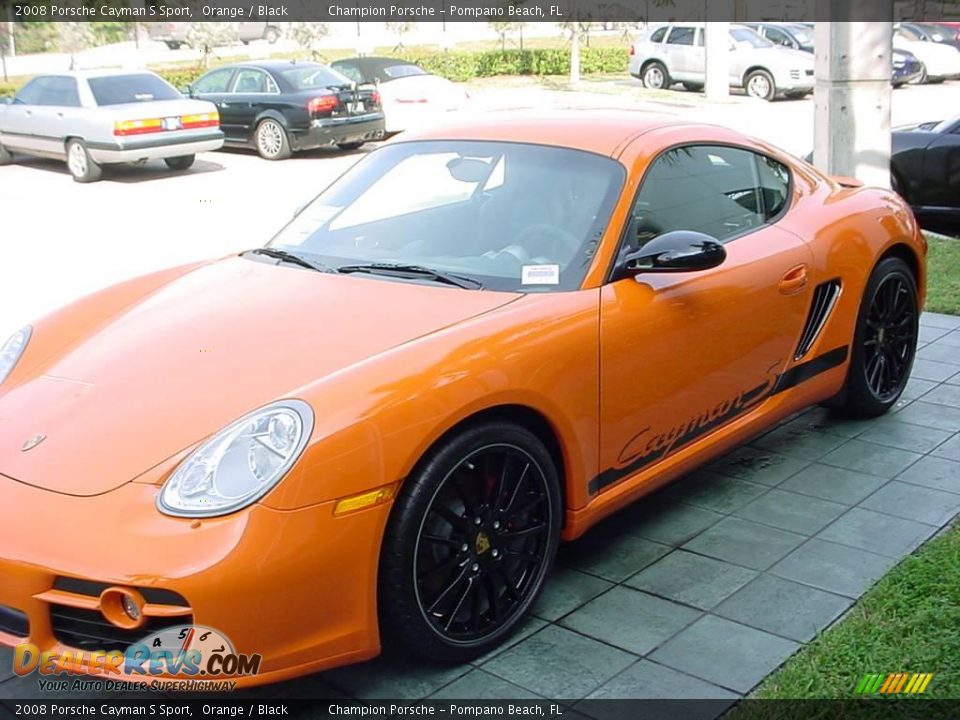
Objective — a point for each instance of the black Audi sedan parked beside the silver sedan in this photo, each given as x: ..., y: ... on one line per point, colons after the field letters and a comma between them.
x: 279, y: 107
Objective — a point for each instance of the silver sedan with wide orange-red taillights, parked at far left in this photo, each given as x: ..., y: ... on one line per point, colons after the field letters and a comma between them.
x: 93, y: 118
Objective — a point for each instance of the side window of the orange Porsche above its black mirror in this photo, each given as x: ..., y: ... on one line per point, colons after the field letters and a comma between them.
x: 718, y: 190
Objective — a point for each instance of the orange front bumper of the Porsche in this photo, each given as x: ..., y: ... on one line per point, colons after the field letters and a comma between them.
x: 297, y: 587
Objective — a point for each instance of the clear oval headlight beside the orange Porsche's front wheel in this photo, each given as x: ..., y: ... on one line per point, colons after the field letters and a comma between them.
x: 240, y: 464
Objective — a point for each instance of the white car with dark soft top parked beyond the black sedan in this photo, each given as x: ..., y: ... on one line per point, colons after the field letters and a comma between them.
x: 410, y: 96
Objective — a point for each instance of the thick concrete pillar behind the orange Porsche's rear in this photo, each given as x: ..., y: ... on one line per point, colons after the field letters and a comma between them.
x: 852, y: 97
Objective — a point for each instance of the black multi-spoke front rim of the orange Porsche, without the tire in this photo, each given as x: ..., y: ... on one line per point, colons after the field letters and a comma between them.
x: 483, y: 542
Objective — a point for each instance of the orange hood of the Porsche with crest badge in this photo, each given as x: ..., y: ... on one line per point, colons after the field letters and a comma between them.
x: 191, y: 357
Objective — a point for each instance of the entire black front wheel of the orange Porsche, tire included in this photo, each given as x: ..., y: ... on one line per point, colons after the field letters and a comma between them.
x: 469, y: 542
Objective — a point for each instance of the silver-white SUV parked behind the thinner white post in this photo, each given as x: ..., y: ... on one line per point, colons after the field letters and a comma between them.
x: 675, y: 53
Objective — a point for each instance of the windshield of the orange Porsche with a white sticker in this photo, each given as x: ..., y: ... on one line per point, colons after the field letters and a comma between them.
x: 511, y: 216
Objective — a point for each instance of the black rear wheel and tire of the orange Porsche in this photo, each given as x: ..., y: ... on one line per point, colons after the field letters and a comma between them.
x: 884, y: 344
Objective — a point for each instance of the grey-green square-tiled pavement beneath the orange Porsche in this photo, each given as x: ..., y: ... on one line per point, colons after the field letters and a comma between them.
x: 704, y: 588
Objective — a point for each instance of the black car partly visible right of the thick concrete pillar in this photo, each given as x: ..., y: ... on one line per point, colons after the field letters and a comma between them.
x: 925, y: 169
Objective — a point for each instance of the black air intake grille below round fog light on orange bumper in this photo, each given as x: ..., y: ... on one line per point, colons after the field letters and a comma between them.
x: 89, y: 630
